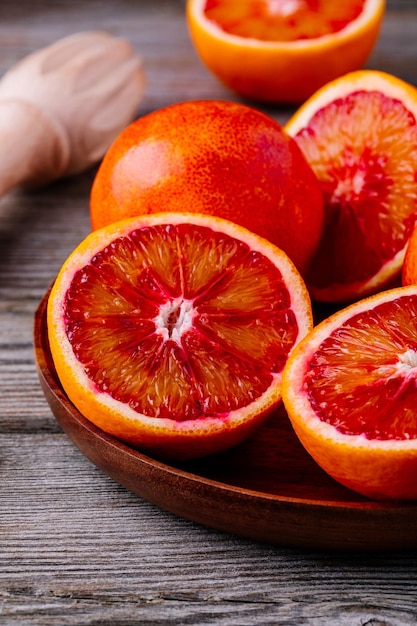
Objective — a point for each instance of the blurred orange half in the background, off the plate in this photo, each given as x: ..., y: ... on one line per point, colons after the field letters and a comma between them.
x: 283, y: 50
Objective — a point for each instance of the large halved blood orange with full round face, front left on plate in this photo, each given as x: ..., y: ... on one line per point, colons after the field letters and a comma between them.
x: 171, y: 331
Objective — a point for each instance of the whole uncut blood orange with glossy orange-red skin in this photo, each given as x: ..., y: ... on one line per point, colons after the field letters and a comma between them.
x: 219, y: 158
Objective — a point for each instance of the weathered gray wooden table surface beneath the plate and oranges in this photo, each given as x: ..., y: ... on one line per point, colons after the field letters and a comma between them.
x: 76, y: 548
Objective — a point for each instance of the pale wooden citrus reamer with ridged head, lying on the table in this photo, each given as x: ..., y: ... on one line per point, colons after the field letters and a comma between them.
x: 62, y: 106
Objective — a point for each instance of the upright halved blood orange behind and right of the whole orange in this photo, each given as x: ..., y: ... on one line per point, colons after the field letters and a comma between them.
x: 359, y: 134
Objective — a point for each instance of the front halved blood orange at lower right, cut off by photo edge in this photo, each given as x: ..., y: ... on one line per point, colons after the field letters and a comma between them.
x: 350, y: 390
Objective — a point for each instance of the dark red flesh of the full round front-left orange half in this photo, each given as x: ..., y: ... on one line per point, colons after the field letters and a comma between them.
x: 189, y: 346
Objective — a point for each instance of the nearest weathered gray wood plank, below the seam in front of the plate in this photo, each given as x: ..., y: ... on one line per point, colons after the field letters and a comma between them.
x: 77, y: 546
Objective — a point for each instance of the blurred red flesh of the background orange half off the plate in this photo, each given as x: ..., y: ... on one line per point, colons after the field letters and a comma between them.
x: 283, y: 20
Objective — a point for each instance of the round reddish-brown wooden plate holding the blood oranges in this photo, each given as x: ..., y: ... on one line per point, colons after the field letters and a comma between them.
x: 267, y: 489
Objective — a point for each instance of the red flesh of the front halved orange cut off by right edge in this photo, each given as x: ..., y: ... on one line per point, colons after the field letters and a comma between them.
x: 373, y: 358
